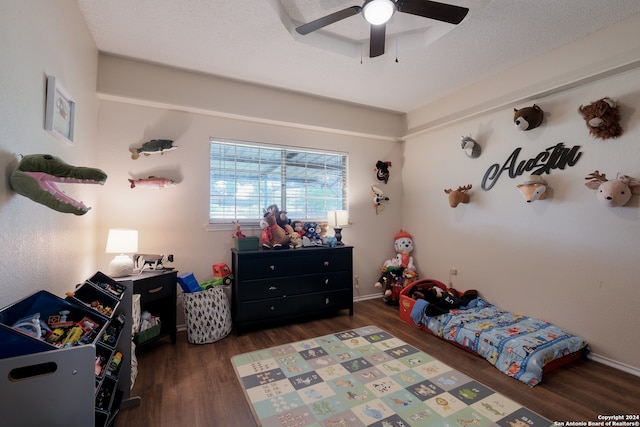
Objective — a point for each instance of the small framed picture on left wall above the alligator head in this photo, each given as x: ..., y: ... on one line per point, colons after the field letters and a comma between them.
x: 60, y: 111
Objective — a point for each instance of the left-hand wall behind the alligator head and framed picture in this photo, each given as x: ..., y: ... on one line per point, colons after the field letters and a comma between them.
x: 41, y: 248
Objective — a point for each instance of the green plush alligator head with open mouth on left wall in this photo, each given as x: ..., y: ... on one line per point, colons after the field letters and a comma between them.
x: 36, y: 177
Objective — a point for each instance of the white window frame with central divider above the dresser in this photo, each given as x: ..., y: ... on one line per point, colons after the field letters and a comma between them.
x: 284, y: 164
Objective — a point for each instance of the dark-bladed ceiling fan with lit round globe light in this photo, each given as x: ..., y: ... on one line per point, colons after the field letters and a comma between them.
x: 378, y: 12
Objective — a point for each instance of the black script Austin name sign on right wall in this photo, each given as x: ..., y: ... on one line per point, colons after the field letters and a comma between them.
x: 555, y: 157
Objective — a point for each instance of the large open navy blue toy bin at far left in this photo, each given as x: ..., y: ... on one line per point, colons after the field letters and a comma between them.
x: 15, y: 343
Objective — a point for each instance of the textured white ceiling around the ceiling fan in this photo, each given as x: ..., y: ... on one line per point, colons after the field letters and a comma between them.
x: 255, y: 41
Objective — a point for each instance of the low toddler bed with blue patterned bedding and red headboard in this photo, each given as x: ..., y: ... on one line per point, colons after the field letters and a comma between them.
x: 520, y: 346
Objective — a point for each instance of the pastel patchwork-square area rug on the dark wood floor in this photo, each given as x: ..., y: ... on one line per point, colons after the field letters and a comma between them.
x: 367, y: 377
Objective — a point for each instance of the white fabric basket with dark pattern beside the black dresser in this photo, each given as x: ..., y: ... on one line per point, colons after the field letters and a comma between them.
x: 207, y: 314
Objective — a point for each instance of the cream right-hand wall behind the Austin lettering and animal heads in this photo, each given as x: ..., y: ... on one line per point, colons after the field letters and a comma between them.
x: 567, y: 259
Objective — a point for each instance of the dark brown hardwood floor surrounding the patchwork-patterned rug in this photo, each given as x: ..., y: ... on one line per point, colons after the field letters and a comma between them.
x: 195, y: 385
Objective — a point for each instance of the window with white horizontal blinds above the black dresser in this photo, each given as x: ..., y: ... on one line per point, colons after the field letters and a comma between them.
x: 245, y: 178
